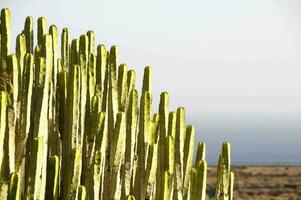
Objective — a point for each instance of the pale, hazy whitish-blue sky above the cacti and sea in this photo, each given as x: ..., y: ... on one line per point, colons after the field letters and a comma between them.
x: 217, y: 58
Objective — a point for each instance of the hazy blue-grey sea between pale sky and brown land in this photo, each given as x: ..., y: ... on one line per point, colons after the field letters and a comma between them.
x: 256, y: 139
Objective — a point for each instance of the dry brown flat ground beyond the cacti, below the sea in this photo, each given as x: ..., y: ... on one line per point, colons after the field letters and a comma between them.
x: 258, y: 183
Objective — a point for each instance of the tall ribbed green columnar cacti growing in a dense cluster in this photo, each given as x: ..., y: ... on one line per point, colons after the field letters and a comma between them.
x: 73, y: 126
